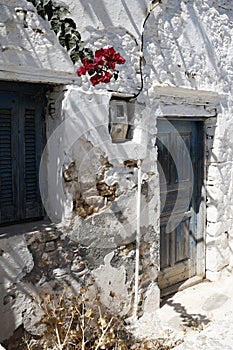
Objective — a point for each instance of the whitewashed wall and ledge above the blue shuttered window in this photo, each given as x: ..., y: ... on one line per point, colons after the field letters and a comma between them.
x: 29, y: 50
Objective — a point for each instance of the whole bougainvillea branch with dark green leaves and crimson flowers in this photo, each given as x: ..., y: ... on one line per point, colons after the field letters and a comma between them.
x: 101, y: 65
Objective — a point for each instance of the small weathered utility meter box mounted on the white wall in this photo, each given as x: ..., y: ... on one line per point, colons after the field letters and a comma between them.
x: 118, y: 120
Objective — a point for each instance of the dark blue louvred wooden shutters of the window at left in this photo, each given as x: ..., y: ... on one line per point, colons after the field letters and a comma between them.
x: 21, y: 142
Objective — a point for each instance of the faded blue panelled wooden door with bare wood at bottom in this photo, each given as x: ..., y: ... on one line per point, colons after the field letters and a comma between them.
x: 180, y: 162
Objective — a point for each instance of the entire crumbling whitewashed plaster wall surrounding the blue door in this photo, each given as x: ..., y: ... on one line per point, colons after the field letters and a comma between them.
x: 92, y: 188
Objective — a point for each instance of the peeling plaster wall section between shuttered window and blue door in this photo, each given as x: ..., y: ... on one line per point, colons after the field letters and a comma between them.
x: 92, y: 188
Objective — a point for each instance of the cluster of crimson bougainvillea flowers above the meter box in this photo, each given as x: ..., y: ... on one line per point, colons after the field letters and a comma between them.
x: 102, y: 66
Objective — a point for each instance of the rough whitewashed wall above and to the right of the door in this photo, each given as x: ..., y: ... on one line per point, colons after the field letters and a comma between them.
x: 186, y: 44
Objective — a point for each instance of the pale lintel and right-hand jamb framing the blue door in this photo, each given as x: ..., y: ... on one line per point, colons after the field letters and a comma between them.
x: 191, y: 105
